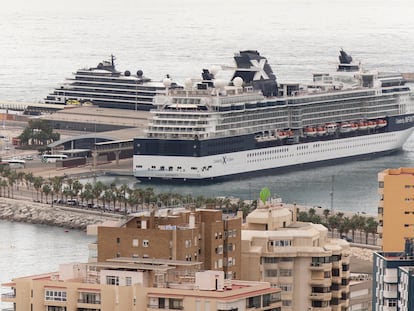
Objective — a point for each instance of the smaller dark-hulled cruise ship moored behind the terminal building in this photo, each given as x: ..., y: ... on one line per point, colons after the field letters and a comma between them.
x: 107, y: 87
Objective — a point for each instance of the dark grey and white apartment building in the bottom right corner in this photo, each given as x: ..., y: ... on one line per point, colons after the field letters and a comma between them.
x: 393, y: 279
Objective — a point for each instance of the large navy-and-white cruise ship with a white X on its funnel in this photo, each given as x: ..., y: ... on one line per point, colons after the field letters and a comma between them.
x: 213, y: 129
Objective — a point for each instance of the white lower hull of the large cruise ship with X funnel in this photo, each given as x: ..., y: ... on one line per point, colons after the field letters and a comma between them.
x: 266, y: 159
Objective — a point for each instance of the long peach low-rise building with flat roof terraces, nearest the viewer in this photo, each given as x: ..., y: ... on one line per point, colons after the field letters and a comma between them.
x: 138, y: 285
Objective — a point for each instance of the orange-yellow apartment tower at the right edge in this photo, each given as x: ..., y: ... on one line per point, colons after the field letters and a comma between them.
x: 395, y: 208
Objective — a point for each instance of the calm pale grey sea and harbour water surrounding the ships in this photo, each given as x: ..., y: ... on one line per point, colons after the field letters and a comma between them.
x: 43, y: 41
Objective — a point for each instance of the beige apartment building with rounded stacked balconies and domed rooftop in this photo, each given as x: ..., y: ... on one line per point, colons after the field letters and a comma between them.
x: 311, y: 269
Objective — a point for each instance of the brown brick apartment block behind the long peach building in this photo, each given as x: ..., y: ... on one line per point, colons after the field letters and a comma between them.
x: 204, y: 235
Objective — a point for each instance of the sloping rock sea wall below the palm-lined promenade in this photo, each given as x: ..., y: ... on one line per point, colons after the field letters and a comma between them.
x: 46, y: 214
